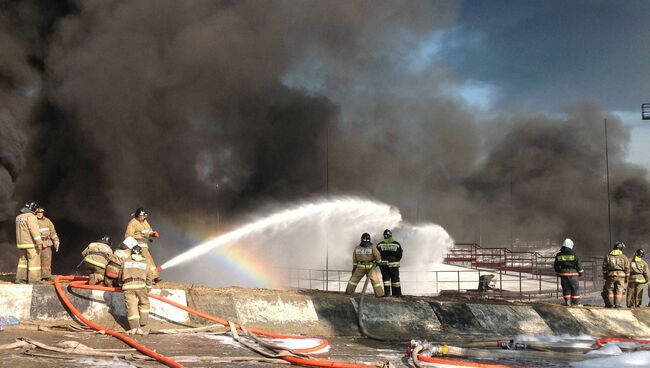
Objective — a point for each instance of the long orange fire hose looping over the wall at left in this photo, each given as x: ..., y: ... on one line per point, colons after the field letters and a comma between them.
x: 82, y: 283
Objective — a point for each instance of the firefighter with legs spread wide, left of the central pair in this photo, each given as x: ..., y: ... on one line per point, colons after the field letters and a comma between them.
x: 364, y: 258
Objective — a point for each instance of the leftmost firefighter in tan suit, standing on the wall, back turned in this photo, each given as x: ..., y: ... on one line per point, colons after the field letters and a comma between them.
x: 28, y: 241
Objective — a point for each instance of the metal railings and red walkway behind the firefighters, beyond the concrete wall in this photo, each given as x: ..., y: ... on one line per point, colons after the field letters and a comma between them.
x: 517, y: 275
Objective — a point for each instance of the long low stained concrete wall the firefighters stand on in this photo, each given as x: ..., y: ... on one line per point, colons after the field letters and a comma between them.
x: 334, y: 314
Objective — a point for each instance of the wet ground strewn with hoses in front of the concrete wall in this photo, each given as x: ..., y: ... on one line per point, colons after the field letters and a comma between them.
x: 193, y: 345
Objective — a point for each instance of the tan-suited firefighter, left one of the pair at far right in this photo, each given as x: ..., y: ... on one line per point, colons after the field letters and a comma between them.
x: 616, y: 270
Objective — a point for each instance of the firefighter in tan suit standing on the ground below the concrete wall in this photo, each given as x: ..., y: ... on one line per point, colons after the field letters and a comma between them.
x: 136, y: 278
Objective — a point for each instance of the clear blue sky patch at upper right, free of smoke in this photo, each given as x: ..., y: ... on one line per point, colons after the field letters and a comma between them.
x: 539, y: 56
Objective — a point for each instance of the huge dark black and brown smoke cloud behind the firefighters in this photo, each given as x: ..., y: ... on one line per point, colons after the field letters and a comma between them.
x: 203, y: 111
